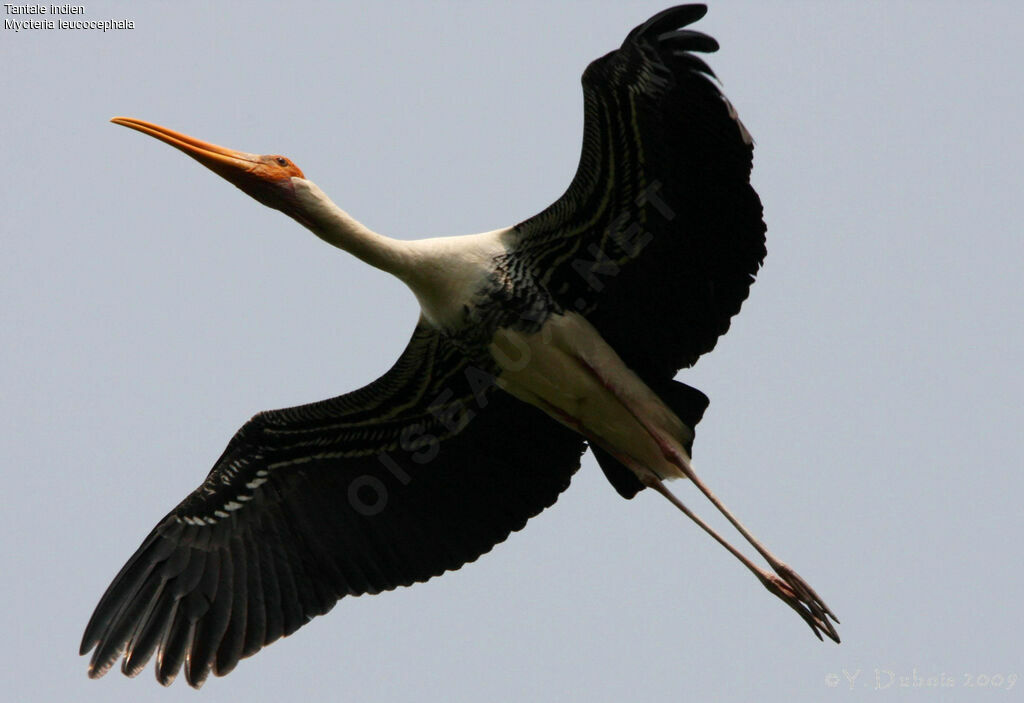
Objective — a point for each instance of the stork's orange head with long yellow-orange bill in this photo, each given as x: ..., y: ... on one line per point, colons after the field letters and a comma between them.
x: 266, y: 178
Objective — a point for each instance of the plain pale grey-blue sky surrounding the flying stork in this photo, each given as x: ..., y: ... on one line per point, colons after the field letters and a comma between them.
x: 867, y: 406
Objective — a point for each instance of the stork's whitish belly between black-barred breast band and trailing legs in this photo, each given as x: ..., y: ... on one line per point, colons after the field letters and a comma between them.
x: 571, y: 373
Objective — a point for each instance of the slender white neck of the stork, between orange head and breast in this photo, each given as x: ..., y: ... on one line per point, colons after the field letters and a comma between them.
x: 337, y: 228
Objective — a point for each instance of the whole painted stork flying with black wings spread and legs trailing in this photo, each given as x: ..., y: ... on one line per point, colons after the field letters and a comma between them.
x: 534, y: 343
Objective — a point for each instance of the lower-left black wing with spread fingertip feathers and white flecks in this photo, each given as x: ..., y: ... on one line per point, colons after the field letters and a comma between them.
x: 417, y: 474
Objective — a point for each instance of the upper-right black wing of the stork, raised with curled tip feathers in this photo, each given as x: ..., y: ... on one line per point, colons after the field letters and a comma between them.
x: 659, y: 237
